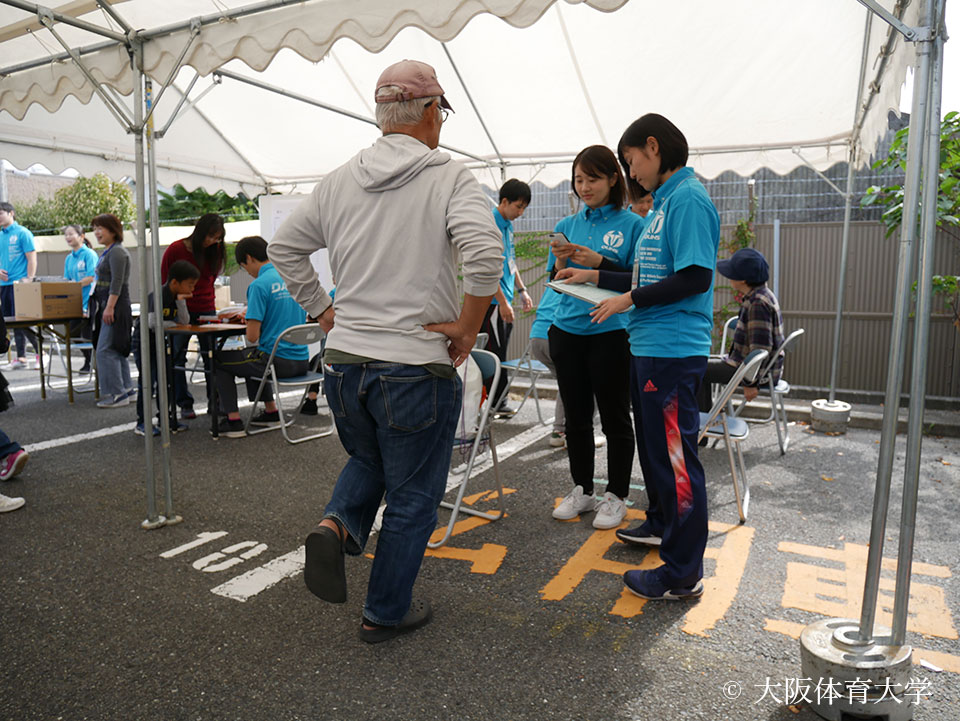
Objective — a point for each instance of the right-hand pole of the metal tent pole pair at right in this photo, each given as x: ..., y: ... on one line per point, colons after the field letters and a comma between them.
x: 921, y: 341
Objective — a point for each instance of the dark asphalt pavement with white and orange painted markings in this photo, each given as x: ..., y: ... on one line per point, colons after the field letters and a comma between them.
x: 209, y: 618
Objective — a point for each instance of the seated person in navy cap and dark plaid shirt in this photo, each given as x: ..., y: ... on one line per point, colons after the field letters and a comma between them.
x: 759, y: 325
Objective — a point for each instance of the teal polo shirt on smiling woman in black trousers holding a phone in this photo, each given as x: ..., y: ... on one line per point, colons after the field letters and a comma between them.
x: 612, y: 232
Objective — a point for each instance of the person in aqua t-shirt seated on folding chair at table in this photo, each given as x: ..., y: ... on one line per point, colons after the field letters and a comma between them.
x: 270, y: 311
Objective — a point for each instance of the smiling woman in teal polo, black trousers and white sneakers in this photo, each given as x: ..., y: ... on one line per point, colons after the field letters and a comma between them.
x: 593, y: 361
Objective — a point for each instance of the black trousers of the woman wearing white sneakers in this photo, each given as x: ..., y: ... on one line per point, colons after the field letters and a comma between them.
x: 596, y: 367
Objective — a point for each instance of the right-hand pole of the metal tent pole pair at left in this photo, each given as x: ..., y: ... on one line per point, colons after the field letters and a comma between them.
x: 158, y: 339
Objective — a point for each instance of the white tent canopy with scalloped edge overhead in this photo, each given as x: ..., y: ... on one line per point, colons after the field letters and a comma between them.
x: 752, y: 83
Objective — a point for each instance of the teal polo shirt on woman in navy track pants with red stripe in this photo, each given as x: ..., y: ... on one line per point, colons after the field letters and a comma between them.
x: 684, y: 231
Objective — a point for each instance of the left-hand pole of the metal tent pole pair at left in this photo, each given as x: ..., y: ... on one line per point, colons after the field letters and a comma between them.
x: 153, y: 520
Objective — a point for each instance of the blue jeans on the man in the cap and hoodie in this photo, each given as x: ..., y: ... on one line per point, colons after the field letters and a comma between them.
x: 397, y: 423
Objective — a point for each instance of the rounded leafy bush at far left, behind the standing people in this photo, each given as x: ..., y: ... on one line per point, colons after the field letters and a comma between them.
x: 78, y: 203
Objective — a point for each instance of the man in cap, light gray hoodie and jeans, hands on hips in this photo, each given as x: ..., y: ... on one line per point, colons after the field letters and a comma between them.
x: 394, y: 219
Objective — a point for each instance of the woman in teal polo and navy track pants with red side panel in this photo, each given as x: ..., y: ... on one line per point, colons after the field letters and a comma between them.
x: 671, y: 293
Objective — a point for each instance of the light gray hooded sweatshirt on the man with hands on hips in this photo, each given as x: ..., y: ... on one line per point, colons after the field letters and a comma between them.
x: 393, y: 219
